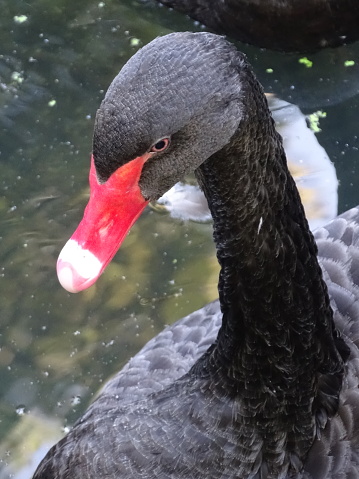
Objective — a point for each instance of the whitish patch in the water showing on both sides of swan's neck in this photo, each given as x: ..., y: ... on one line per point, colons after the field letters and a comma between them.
x: 308, y: 162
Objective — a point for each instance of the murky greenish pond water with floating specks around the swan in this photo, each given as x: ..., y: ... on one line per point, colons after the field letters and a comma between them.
x: 56, y: 349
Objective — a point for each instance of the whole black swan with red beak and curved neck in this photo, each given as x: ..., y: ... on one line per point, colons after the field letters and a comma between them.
x: 266, y: 384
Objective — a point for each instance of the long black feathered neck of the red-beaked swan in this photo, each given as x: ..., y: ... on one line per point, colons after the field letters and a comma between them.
x: 277, y: 349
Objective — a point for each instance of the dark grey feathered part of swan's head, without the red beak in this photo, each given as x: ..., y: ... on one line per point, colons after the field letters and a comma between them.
x: 184, y: 87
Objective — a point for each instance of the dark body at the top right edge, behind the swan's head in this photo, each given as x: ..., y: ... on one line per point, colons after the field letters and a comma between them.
x: 285, y: 25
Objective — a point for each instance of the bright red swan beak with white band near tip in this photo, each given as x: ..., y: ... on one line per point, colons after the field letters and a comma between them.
x: 112, y: 209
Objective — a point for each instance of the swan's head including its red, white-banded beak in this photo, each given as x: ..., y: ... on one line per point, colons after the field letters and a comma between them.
x: 175, y: 103
